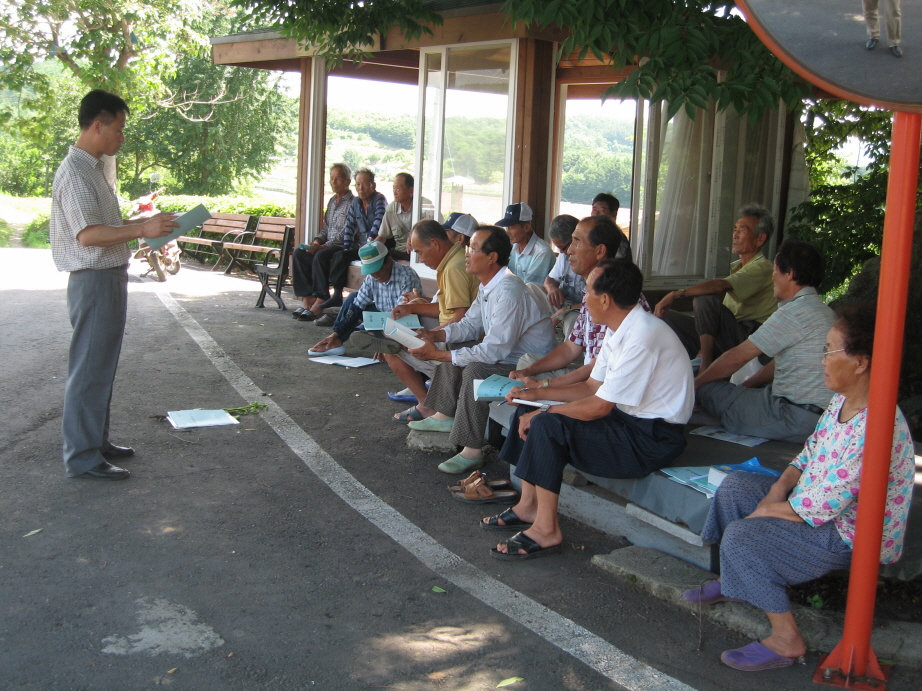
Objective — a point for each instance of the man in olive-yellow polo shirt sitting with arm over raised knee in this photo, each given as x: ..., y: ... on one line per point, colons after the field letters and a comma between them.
x: 728, y: 310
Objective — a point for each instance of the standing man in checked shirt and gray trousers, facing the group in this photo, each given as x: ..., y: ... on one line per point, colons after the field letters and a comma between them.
x: 90, y: 240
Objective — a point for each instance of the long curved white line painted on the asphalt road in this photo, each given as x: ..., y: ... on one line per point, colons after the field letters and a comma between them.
x: 567, y: 635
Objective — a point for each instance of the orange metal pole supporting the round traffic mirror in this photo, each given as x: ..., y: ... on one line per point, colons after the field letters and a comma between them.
x: 853, y: 657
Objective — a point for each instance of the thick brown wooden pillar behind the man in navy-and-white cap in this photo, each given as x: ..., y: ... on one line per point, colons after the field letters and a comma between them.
x: 532, y: 157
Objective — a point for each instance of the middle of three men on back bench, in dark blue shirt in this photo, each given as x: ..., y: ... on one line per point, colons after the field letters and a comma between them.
x: 366, y: 213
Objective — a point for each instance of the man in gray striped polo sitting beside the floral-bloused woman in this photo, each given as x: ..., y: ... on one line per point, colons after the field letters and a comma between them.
x: 795, y: 395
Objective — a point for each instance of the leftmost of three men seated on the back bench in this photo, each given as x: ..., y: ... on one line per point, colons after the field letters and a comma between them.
x: 331, y: 235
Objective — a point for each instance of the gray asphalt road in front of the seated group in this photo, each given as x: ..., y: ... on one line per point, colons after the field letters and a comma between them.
x: 228, y: 561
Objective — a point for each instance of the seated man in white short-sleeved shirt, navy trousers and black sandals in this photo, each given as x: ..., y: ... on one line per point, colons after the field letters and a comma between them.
x: 625, y: 421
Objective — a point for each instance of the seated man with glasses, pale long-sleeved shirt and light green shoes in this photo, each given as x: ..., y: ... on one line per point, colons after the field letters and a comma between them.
x: 510, y: 320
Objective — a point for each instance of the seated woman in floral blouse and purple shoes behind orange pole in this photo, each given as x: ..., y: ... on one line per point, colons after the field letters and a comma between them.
x: 774, y: 534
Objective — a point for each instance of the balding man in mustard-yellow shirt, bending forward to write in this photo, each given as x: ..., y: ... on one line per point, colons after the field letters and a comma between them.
x: 457, y: 292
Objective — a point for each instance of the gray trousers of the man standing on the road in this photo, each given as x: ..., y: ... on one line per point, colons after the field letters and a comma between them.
x: 97, y: 302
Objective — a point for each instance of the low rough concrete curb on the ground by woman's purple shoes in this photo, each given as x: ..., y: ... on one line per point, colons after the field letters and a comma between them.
x: 667, y: 577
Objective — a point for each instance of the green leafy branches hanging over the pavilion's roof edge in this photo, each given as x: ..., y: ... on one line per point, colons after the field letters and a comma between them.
x: 684, y: 43
